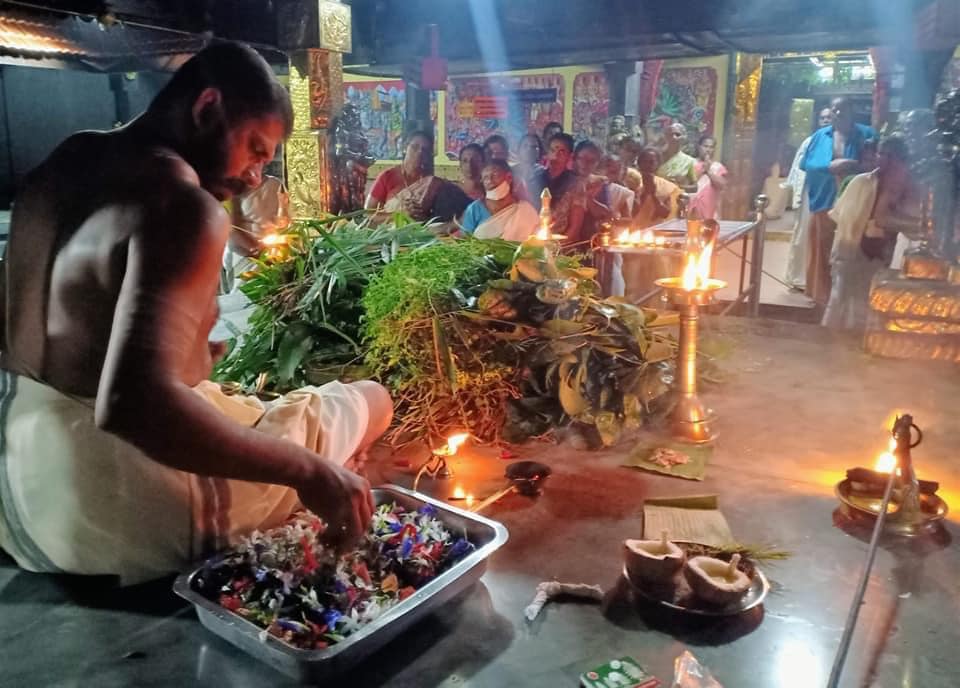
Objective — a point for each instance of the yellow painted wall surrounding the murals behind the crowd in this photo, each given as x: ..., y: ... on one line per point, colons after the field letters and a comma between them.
x: 449, y: 169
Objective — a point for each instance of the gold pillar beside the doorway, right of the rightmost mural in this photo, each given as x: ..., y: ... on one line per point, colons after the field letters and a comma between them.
x: 738, y: 199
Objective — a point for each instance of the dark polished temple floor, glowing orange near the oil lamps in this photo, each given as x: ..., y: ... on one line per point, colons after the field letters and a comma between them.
x: 798, y: 405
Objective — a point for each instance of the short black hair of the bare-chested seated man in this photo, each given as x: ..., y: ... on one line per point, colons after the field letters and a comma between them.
x: 246, y: 83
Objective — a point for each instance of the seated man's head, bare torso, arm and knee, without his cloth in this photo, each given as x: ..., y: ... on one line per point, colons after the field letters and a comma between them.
x: 112, y: 269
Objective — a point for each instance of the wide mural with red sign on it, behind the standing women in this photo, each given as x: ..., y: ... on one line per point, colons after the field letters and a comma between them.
x: 509, y: 105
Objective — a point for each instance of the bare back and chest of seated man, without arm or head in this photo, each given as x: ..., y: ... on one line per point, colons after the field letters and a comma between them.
x: 68, y: 252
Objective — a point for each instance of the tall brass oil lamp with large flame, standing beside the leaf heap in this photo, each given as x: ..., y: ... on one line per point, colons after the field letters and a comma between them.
x: 695, y: 288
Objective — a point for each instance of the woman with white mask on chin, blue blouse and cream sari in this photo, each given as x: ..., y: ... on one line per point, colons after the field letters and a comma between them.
x: 499, y: 214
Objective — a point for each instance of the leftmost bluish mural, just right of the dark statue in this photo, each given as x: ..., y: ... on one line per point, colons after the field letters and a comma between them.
x: 382, y: 106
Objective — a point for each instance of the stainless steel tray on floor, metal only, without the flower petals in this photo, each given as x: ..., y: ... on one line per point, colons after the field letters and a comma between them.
x: 317, y: 665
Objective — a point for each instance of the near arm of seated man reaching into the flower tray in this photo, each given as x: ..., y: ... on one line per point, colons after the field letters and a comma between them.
x: 162, y: 311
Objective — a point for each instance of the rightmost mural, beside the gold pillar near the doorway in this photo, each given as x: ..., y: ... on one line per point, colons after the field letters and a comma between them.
x: 687, y: 95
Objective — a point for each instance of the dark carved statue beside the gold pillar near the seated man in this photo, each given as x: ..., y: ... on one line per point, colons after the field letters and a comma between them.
x: 351, y: 160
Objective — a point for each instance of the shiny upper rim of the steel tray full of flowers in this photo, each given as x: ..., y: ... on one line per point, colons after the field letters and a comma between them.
x: 478, y: 557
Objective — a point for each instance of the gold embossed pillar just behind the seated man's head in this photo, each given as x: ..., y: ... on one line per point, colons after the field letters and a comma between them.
x: 315, y: 35
